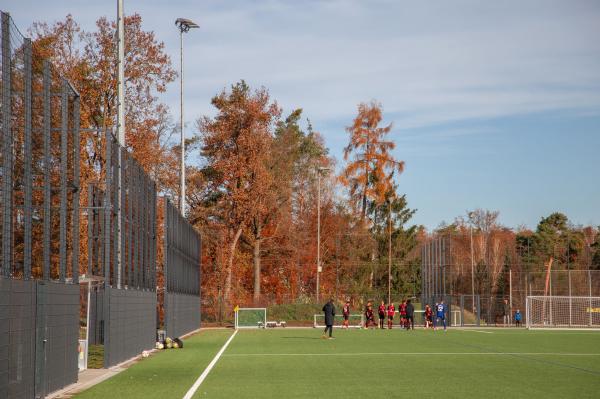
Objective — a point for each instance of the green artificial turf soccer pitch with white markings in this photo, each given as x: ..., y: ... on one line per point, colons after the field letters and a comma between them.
x: 297, y: 363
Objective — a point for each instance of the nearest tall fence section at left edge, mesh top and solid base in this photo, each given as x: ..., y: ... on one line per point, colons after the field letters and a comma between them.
x: 39, y: 213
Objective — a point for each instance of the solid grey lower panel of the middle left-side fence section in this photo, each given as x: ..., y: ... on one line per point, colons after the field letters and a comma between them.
x: 130, y: 326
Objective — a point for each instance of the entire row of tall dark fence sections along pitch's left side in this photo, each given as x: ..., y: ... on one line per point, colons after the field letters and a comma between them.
x: 54, y: 248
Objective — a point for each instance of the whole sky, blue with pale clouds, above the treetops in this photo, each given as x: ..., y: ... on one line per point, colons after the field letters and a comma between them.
x: 494, y: 105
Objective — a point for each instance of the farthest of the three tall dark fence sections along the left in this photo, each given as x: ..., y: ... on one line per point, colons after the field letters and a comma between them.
x: 181, y: 274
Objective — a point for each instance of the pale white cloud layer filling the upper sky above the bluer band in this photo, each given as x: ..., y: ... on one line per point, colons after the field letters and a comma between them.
x: 427, y: 62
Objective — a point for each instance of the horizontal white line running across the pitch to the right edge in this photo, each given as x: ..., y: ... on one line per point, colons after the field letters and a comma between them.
x: 415, y: 354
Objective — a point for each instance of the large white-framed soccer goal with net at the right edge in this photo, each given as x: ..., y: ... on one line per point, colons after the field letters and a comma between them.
x: 562, y: 312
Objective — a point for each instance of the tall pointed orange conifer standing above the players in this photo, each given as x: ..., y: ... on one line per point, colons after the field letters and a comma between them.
x: 370, y: 171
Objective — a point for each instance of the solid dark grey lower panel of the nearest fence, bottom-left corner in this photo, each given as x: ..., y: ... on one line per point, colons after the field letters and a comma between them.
x: 39, y: 332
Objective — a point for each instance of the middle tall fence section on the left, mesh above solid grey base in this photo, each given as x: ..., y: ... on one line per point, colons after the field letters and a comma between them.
x: 122, y: 252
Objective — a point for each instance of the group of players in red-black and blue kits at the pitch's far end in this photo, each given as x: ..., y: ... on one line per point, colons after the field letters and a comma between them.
x: 406, y: 310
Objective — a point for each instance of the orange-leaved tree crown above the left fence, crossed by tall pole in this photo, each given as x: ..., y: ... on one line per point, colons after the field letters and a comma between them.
x: 89, y: 61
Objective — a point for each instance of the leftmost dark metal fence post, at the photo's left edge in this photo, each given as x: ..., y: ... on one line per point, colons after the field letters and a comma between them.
x: 7, y: 191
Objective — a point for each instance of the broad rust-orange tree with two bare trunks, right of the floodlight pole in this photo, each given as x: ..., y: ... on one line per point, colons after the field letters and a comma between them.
x: 235, y: 145
